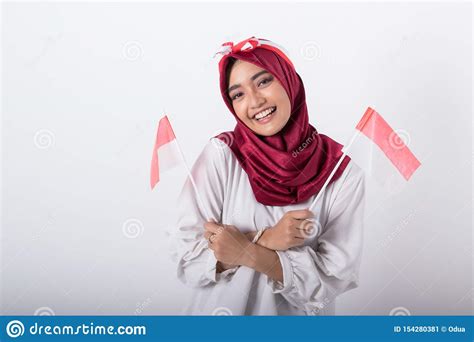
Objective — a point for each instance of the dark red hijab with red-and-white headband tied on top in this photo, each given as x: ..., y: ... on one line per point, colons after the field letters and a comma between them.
x: 292, y: 165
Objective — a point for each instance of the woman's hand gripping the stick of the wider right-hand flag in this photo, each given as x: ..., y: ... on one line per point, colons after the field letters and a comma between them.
x: 291, y: 231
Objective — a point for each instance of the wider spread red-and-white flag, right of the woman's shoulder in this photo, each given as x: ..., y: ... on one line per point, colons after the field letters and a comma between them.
x: 379, y: 149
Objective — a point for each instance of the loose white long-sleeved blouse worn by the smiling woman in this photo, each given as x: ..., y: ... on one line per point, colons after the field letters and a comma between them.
x: 314, y: 274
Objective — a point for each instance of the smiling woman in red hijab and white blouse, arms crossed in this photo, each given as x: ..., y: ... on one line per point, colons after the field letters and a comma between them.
x: 261, y: 251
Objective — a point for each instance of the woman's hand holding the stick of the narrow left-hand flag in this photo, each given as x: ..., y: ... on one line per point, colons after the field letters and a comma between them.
x: 227, y: 242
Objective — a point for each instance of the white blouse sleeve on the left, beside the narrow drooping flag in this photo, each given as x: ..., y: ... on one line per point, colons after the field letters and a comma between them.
x: 196, y: 263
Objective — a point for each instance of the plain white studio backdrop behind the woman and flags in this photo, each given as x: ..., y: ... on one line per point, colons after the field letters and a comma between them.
x: 83, y: 87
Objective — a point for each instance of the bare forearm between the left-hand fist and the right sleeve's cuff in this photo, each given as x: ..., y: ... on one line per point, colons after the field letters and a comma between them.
x: 263, y: 260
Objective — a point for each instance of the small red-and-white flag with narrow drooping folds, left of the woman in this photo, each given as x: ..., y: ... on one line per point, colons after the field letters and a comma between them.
x: 166, y: 153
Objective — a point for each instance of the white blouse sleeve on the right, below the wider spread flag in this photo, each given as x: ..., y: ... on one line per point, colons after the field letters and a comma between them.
x: 312, y: 278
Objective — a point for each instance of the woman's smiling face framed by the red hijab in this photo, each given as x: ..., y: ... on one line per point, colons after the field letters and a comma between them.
x: 258, y: 98
